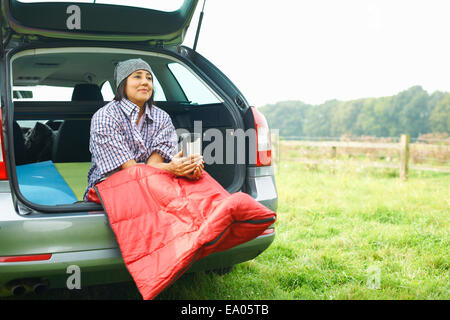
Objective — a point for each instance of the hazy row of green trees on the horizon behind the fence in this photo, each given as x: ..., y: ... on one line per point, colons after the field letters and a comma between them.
x: 413, y: 111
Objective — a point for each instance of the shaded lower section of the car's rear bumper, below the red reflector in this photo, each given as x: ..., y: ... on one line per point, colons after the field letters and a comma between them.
x: 107, y: 266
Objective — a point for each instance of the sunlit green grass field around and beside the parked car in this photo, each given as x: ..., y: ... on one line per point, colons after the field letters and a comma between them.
x: 341, y: 234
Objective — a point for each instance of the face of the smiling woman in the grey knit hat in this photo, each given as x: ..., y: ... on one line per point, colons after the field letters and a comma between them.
x: 139, y: 87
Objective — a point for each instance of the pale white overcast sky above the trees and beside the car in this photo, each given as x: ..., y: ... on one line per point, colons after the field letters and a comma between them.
x: 316, y: 50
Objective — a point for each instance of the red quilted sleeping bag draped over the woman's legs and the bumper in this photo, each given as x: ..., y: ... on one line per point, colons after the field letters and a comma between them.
x: 164, y: 223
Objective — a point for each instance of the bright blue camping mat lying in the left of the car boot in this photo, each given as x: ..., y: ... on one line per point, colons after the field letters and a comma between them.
x: 41, y: 183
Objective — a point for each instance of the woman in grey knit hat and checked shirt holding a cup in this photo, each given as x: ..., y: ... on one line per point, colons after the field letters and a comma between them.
x: 131, y: 130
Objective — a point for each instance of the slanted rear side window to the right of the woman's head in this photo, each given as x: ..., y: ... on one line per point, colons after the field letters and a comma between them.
x: 194, y: 89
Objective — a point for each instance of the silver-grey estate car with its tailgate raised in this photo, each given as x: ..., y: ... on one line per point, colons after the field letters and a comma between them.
x: 56, y: 70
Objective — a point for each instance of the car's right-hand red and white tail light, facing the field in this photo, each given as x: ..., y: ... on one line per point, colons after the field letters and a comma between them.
x: 263, y: 142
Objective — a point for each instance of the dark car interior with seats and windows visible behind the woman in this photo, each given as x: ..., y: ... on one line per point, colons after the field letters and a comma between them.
x: 60, y: 122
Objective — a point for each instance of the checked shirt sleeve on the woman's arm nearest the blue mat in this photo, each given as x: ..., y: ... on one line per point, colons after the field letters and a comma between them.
x: 107, y: 145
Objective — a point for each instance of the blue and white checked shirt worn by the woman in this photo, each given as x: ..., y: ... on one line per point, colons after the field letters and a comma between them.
x: 116, y: 139
